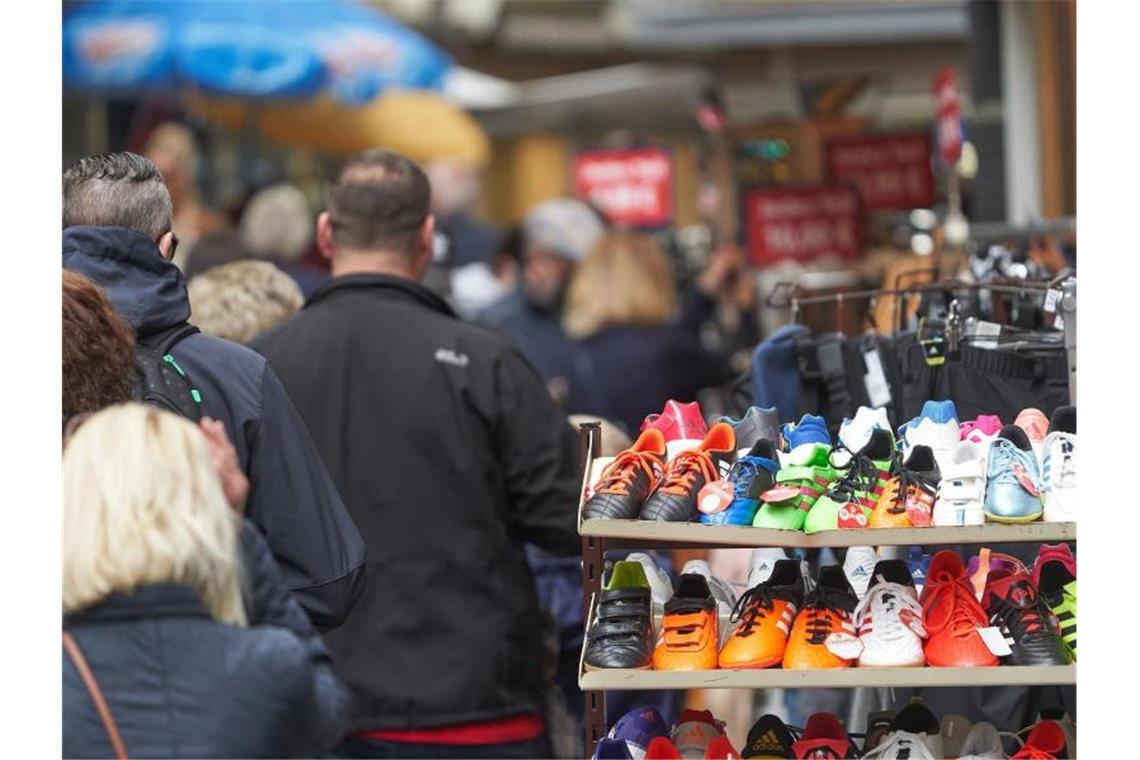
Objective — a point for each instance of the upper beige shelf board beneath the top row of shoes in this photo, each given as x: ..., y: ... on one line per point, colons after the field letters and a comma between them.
x: 646, y: 534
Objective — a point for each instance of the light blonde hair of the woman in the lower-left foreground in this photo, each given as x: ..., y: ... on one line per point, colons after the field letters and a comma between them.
x: 143, y: 505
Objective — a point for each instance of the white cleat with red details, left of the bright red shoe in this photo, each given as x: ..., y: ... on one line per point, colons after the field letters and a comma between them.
x: 890, y: 619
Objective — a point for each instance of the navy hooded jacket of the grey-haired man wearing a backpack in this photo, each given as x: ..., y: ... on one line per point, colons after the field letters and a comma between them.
x: 292, y: 500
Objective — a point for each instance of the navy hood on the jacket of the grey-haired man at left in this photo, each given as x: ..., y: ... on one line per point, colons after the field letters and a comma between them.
x: 145, y: 289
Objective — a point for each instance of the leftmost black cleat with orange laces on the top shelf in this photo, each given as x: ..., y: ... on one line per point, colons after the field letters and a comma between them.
x: 629, y: 480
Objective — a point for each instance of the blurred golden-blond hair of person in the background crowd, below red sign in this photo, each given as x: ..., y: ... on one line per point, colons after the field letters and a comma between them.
x: 625, y: 281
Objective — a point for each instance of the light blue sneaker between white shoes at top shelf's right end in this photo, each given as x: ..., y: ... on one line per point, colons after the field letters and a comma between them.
x: 1013, y: 479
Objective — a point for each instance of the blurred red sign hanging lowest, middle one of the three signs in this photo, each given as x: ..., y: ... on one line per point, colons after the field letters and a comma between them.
x: 801, y: 224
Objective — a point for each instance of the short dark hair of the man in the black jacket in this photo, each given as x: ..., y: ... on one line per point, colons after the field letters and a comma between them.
x: 379, y: 201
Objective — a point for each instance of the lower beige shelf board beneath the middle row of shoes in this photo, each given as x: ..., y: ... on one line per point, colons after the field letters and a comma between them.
x: 835, y: 679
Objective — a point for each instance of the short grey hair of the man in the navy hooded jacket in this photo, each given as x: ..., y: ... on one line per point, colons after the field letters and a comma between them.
x: 118, y: 190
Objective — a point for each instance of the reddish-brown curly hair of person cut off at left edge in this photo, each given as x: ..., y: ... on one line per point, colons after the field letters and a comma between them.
x: 99, y: 350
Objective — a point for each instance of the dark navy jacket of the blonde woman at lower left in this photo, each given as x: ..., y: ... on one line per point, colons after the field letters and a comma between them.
x: 182, y: 685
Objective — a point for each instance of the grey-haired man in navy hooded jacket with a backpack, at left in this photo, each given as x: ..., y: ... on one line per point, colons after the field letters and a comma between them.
x: 117, y: 233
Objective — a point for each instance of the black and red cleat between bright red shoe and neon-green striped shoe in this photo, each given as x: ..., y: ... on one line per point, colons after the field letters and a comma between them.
x: 1025, y: 620
